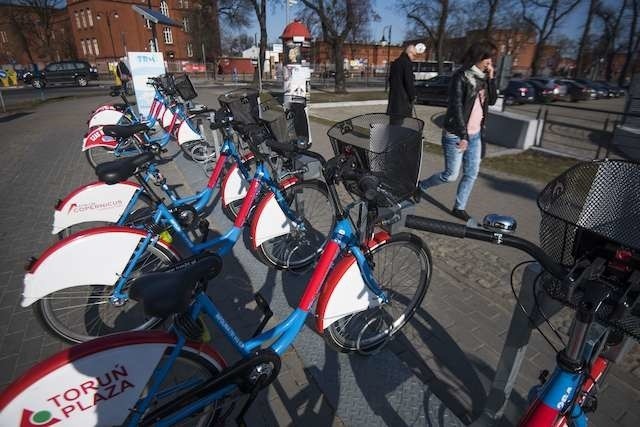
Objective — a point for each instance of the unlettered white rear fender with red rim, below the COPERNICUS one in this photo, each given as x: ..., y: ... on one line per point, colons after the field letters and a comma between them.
x: 92, y: 257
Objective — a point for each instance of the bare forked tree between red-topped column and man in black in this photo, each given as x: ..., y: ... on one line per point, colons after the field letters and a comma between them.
x: 338, y: 18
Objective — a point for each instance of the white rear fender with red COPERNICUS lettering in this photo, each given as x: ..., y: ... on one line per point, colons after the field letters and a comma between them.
x: 93, y: 202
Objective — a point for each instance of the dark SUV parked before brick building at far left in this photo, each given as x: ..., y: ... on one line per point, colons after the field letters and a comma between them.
x: 65, y: 72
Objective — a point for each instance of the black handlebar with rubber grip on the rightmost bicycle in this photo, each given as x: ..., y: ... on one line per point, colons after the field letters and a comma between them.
x: 462, y: 231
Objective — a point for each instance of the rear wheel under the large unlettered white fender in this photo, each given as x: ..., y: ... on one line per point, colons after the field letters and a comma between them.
x: 84, y: 312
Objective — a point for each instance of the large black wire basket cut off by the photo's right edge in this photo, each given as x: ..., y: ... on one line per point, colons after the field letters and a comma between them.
x: 600, y: 198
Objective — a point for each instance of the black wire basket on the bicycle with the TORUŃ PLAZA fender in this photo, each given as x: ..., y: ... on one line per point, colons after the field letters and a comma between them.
x: 387, y: 146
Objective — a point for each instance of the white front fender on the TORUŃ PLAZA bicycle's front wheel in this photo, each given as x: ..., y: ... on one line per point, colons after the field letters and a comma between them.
x: 345, y: 291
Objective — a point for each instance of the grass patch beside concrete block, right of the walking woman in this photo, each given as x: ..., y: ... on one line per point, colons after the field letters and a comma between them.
x: 531, y: 164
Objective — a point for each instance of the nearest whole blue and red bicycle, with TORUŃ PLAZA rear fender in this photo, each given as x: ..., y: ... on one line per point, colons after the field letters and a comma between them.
x: 367, y: 286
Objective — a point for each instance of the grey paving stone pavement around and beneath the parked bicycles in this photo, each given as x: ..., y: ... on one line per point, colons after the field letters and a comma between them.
x: 448, y: 352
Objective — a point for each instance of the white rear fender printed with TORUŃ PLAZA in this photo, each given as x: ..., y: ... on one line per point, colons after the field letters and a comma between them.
x: 92, y: 385
